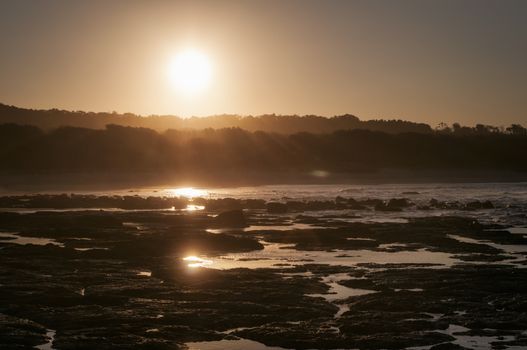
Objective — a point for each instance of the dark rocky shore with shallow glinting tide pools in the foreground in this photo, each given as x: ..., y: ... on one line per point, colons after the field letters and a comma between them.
x: 96, y: 277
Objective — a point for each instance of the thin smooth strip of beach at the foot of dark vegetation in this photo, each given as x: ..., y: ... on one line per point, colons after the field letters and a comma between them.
x: 17, y: 183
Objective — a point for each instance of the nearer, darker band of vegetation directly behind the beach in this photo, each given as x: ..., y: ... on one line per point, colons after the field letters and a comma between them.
x: 28, y: 149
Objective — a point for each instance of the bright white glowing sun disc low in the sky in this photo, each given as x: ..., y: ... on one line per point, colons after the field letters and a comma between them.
x: 190, y: 71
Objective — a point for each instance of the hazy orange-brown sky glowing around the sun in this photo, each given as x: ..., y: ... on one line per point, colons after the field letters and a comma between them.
x: 429, y: 61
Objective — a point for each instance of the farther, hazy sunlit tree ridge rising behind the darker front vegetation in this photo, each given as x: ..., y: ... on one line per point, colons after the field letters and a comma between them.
x: 54, y: 118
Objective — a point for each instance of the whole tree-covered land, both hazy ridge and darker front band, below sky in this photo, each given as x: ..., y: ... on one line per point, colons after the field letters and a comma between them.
x: 54, y: 141
